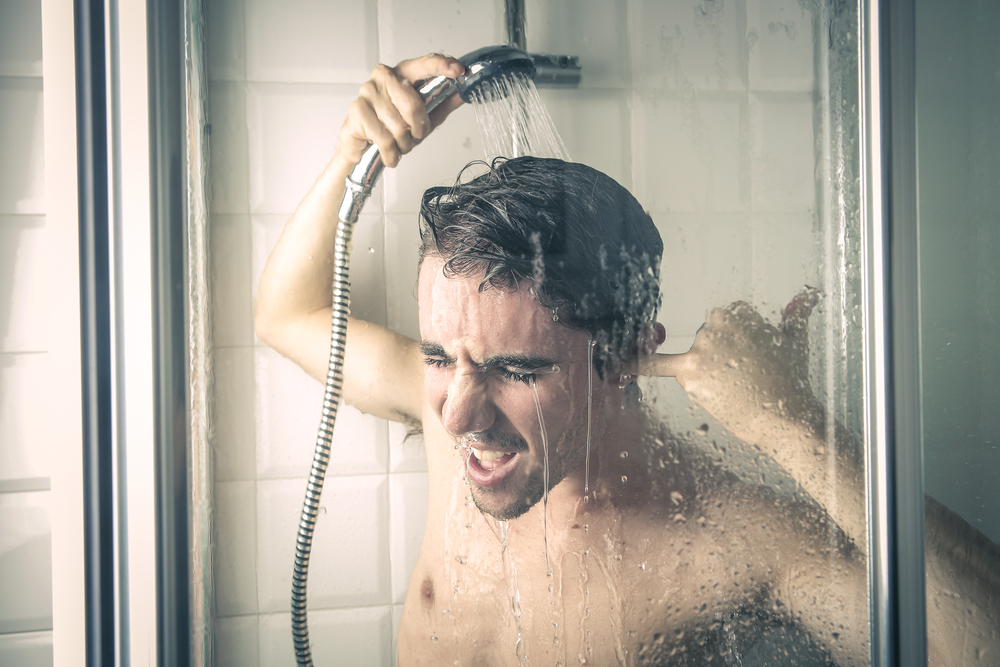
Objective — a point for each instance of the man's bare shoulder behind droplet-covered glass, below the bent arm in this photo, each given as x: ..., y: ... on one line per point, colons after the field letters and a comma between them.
x: 742, y: 564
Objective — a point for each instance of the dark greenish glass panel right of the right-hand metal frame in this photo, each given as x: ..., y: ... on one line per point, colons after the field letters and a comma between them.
x: 958, y: 143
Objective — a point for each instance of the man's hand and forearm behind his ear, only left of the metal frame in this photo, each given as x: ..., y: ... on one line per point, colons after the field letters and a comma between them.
x: 753, y: 377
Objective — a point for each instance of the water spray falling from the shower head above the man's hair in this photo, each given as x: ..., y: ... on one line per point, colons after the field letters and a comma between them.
x: 513, y: 121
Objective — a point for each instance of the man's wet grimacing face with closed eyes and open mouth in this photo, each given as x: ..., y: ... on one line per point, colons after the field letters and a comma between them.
x: 484, y: 352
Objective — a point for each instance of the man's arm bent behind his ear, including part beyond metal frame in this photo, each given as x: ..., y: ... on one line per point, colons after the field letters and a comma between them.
x: 753, y: 378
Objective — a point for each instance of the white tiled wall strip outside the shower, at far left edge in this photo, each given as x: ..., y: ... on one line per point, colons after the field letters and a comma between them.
x: 27, y: 335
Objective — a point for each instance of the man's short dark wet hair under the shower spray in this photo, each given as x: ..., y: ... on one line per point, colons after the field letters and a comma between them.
x: 584, y: 245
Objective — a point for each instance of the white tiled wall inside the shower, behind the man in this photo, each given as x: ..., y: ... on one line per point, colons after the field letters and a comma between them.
x: 708, y: 111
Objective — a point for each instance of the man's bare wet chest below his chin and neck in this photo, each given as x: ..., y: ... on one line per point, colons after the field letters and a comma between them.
x: 602, y: 592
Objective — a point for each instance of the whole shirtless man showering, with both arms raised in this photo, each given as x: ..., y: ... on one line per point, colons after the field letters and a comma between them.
x: 537, y: 297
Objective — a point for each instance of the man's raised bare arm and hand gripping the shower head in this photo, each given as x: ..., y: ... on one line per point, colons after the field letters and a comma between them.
x: 383, y: 370
